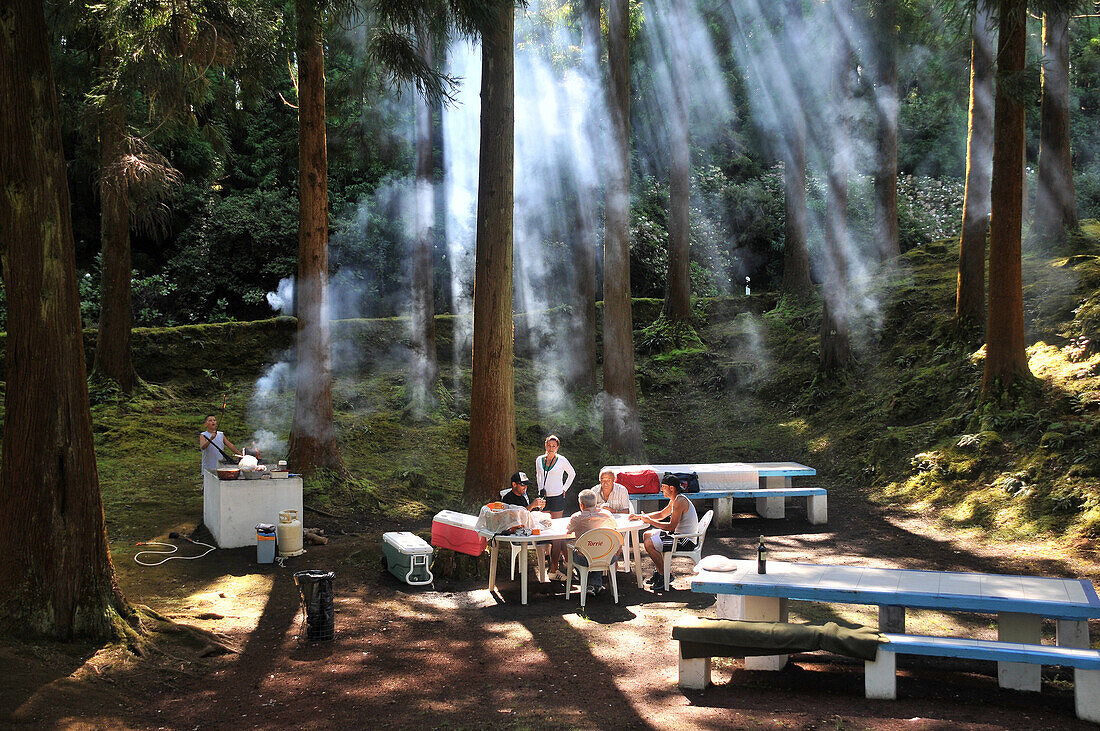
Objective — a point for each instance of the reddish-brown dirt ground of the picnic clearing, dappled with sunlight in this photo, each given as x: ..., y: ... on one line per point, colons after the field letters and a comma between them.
x: 459, y: 657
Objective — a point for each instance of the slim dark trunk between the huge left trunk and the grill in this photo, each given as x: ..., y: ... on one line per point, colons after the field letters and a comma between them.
x: 114, y: 358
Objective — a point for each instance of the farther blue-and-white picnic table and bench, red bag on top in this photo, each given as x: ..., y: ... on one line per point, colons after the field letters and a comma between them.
x: 768, y: 483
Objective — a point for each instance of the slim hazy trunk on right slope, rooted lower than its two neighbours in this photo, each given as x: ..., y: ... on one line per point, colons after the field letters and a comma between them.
x: 835, y: 337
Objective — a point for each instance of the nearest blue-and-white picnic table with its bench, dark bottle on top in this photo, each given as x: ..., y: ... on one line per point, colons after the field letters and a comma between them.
x: 1020, y: 604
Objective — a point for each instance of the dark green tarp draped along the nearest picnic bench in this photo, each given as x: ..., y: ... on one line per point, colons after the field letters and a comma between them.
x: 731, y: 638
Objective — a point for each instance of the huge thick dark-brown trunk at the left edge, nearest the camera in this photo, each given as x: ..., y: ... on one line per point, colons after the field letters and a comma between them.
x: 57, y: 580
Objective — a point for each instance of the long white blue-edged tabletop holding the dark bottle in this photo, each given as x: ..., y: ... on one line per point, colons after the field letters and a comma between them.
x: 1059, y: 599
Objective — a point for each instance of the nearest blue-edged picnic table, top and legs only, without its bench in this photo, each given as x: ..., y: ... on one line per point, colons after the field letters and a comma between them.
x: 1020, y: 603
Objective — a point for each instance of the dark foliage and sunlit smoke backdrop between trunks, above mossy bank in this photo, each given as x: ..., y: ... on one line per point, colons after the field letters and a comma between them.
x: 226, y: 236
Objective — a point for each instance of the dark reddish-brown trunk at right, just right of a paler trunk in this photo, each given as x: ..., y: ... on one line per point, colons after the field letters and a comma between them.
x: 1006, y: 357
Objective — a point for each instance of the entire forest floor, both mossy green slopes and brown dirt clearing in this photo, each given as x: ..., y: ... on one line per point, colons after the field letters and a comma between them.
x: 919, y: 474
